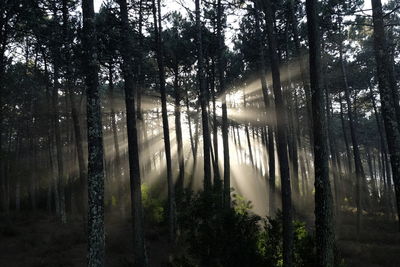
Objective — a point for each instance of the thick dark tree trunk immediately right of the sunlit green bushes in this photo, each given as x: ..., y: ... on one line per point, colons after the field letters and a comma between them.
x: 323, y: 195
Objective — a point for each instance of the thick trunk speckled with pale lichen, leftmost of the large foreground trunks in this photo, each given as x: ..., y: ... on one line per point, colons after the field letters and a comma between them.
x: 96, y: 237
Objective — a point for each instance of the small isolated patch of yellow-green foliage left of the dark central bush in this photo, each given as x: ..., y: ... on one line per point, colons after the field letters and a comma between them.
x: 153, y: 208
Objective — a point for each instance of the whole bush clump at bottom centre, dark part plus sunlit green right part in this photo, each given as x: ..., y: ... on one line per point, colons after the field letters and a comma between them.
x: 234, y: 237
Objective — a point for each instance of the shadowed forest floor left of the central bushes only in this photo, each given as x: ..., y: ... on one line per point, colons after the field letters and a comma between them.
x: 41, y: 241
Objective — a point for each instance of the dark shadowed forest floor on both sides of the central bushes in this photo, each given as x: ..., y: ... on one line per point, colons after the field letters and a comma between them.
x: 34, y: 240
